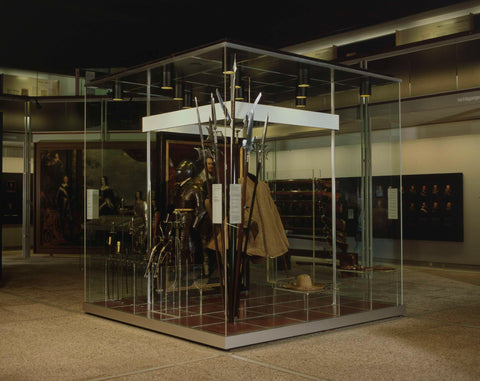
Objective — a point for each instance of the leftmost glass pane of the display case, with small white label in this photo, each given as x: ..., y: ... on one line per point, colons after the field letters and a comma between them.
x: 116, y: 221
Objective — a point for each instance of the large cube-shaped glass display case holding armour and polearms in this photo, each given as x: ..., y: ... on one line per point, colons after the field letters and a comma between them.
x: 229, y: 196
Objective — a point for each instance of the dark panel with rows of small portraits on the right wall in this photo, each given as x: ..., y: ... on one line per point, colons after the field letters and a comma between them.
x: 432, y: 206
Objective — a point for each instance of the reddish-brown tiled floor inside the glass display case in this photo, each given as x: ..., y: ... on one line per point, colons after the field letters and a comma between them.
x: 259, y: 309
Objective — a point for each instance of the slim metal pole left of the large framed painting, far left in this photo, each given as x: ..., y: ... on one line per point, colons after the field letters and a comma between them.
x: 27, y: 187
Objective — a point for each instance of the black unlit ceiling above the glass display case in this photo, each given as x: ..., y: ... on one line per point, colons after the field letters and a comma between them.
x: 58, y: 36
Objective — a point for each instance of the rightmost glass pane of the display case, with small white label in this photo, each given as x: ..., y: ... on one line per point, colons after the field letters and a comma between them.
x: 368, y: 177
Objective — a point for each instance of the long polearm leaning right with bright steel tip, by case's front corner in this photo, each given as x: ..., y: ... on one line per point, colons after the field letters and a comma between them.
x: 248, y: 148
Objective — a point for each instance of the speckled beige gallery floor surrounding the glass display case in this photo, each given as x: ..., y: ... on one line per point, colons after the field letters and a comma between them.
x: 46, y: 336
